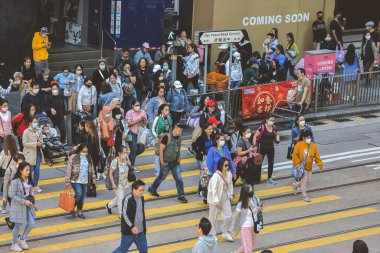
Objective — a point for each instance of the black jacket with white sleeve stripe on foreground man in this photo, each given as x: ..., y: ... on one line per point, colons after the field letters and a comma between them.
x: 129, y: 214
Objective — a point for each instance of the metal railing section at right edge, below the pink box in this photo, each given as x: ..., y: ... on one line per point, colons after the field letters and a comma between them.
x: 350, y: 90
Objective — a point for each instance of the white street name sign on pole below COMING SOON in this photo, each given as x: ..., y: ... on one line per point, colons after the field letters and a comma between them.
x: 219, y: 37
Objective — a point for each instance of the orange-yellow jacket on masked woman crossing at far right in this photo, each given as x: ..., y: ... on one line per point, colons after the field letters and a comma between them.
x: 299, y: 154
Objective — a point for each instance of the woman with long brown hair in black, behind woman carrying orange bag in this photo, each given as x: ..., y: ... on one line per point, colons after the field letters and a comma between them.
x: 93, y: 142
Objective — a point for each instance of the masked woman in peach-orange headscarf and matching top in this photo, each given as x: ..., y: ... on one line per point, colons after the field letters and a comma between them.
x: 105, y: 125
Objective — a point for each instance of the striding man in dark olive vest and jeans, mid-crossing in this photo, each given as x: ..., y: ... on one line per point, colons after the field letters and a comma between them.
x: 170, y: 152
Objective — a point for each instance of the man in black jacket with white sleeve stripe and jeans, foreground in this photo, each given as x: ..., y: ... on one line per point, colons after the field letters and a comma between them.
x: 133, y: 225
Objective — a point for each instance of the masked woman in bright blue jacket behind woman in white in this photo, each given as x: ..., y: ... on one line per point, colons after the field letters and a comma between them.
x: 218, y: 151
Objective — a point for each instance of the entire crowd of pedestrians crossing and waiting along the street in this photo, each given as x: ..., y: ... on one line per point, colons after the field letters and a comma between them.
x: 135, y: 105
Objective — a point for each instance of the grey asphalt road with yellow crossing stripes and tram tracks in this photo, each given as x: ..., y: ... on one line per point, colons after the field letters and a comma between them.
x: 345, y: 204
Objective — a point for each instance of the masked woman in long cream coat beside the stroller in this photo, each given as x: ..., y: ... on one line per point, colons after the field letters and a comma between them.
x: 32, y: 142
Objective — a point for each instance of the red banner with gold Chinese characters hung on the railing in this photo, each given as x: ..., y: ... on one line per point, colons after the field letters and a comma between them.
x: 258, y: 101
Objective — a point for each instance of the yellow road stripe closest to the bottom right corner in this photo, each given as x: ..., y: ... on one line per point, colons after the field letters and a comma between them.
x: 327, y: 240
